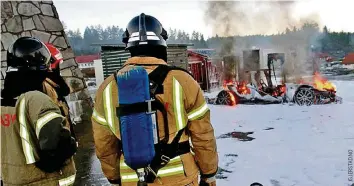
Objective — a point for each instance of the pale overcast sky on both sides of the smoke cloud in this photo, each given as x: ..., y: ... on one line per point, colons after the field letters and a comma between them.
x: 186, y: 15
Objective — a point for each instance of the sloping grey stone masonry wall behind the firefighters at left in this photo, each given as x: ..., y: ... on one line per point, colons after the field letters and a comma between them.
x: 41, y: 20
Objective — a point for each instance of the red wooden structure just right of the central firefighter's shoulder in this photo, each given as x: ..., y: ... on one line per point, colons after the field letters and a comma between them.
x: 204, y: 72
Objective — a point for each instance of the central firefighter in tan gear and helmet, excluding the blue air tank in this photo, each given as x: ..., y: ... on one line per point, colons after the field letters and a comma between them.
x: 186, y: 111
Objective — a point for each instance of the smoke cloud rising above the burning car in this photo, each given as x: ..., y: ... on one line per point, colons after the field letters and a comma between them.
x: 246, y: 18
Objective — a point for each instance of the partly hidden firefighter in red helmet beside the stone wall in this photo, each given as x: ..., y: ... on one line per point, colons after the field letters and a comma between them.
x: 55, y: 86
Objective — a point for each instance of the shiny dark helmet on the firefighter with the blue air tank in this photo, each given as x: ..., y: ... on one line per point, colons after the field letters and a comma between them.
x: 144, y: 30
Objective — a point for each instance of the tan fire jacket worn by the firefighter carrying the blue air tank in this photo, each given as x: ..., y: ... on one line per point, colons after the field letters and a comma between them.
x: 186, y: 108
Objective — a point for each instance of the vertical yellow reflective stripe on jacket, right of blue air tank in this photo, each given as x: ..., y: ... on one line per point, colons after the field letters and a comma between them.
x: 178, y: 104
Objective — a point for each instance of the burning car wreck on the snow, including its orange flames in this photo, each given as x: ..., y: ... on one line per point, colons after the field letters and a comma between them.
x: 318, y: 91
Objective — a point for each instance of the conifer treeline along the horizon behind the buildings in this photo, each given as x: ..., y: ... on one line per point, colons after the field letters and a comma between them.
x: 323, y: 40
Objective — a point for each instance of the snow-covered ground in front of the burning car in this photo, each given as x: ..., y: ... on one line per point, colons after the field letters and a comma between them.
x: 292, y: 145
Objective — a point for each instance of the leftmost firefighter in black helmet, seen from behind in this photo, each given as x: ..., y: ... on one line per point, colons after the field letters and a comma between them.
x: 36, y: 147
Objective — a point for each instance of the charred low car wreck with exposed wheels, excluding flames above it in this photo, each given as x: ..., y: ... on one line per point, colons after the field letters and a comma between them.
x: 300, y: 94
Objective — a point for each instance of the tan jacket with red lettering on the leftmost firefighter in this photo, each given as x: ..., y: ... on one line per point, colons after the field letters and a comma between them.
x: 24, y: 133
